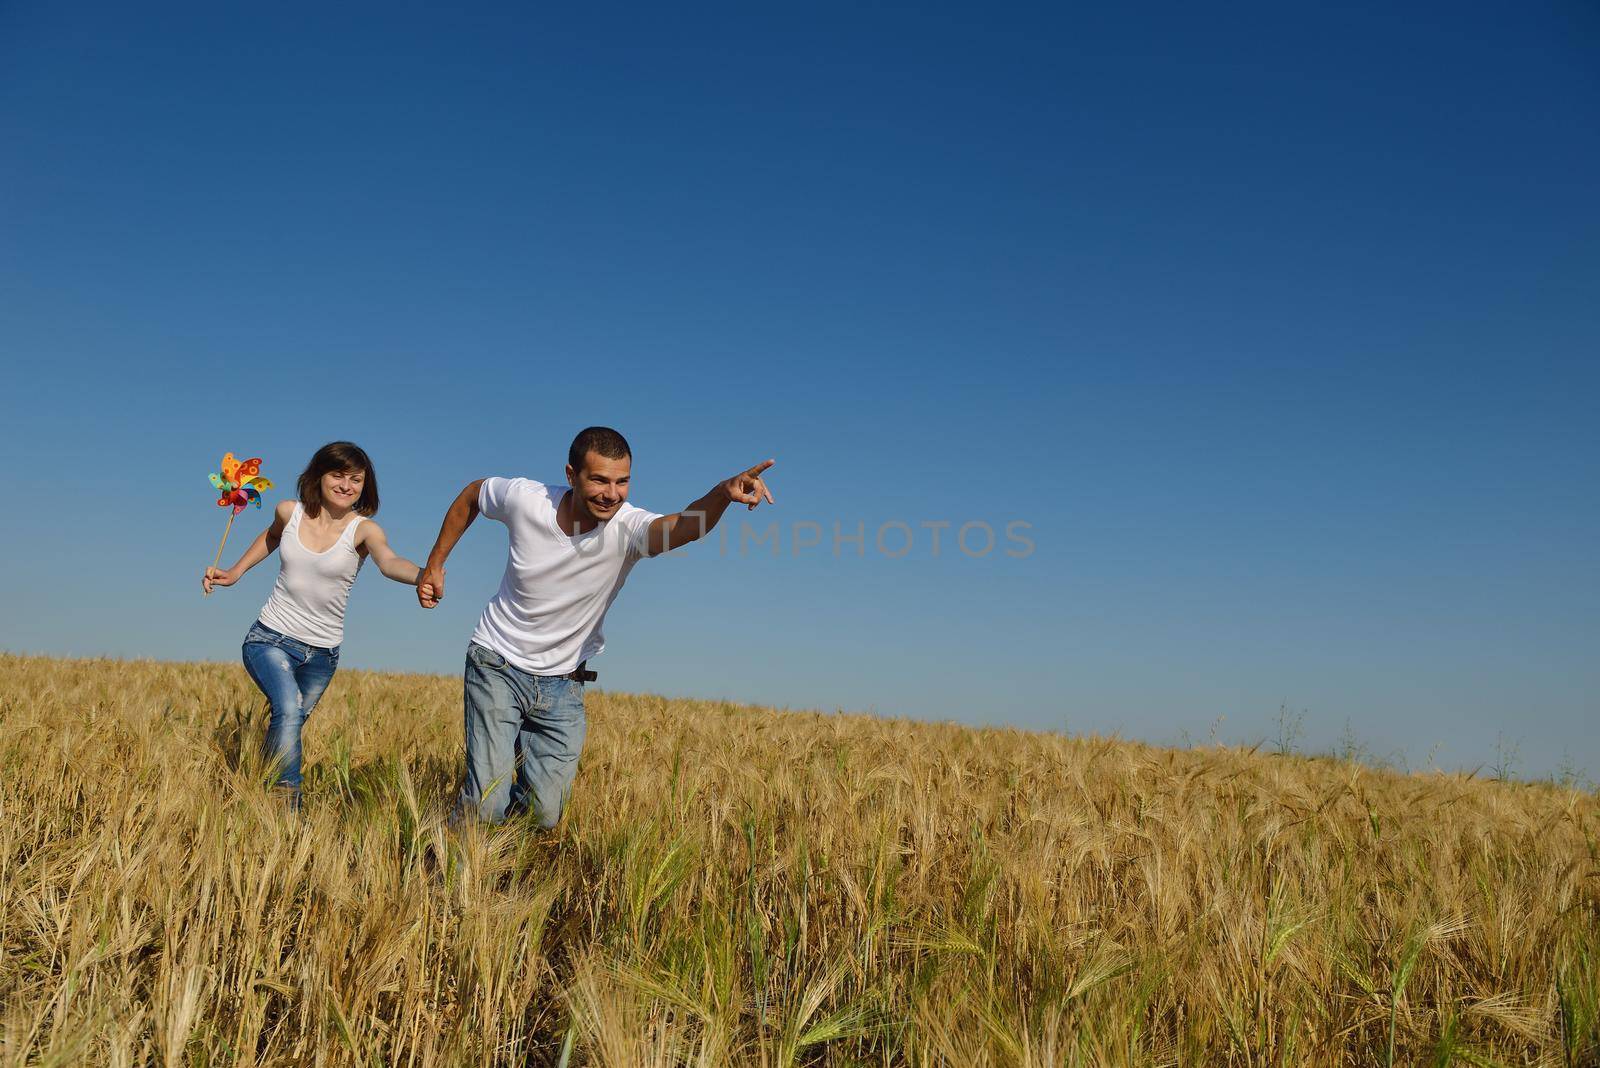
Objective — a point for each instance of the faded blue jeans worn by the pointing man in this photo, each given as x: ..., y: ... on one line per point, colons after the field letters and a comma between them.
x: 524, y: 736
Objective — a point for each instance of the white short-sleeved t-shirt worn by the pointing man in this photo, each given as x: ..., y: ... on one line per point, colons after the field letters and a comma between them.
x: 558, y: 589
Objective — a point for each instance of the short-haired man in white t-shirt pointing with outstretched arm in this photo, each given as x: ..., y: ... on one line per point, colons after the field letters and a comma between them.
x: 572, y: 548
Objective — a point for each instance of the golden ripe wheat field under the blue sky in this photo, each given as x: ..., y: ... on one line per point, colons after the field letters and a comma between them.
x: 743, y: 887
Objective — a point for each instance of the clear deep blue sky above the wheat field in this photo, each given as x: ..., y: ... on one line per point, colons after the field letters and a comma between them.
x: 1278, y: 325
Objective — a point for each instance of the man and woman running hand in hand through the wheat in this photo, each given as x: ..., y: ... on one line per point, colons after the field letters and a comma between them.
x: 572, y: 548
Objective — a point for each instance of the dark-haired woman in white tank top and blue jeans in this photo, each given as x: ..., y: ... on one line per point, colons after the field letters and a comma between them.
x: 324, y: 538
